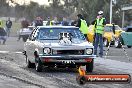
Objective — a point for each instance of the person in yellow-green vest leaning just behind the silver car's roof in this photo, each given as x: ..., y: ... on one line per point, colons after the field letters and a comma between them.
x: 82, y: 24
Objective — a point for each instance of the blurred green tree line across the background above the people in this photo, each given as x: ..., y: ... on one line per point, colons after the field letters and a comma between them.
x: 70, y: 8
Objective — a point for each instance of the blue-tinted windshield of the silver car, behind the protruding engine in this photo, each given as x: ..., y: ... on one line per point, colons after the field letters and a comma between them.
x: 53, y: 33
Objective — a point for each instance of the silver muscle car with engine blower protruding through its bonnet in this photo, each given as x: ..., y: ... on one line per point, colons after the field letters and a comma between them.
x: 58, y: 46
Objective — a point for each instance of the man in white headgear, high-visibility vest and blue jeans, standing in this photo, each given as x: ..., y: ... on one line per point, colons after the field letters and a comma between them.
x: 99, y: 31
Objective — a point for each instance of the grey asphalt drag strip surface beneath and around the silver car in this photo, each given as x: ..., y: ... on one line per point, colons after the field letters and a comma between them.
x: 13, y: 65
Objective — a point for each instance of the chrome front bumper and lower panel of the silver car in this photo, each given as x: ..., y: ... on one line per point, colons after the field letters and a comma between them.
x: 66, y: 59
